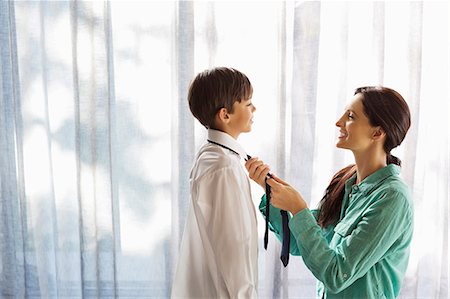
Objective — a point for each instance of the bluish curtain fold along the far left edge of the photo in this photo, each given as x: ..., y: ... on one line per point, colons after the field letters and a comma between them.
x: 13, y: 214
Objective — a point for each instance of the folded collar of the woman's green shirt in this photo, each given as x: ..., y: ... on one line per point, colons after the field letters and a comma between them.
x: 372, y: 180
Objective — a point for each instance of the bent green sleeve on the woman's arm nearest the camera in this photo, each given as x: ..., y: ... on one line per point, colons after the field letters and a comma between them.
x: 356, y: 246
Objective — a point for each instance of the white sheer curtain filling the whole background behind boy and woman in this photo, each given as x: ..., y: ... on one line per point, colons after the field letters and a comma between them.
x: 97, y: 141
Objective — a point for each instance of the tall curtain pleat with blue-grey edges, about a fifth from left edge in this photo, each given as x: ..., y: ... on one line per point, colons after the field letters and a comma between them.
x: 93, y: 143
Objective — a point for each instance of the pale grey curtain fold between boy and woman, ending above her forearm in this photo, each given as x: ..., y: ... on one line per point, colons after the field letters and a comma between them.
x: 304, y: 93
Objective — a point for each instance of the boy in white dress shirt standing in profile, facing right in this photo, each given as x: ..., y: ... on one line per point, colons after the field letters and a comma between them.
x: 218, y: 255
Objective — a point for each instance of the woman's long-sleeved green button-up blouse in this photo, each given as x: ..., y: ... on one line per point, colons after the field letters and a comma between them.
x: 365, y: 255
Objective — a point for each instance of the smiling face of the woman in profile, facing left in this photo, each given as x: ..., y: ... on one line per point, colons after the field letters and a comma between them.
x: 355, y: 131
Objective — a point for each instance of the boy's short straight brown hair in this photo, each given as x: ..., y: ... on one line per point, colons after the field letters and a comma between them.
x: 214, y: 89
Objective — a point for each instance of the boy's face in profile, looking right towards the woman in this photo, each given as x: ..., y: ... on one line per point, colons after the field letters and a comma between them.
x: 241, y: 119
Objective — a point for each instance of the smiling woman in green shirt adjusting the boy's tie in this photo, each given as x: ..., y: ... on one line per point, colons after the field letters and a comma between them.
x: 357, y: 242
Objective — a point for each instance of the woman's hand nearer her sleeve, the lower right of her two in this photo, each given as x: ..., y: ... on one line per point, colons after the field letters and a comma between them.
x: 285, y: 197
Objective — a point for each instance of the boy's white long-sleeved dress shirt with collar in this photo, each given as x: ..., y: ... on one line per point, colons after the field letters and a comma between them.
x: 218, y: 254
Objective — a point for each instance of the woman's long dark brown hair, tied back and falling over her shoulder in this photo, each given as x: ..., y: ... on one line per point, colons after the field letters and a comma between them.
x: 387, y: 109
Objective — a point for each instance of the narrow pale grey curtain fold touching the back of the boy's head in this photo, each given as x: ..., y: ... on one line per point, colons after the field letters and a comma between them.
x: 182, y: 127
